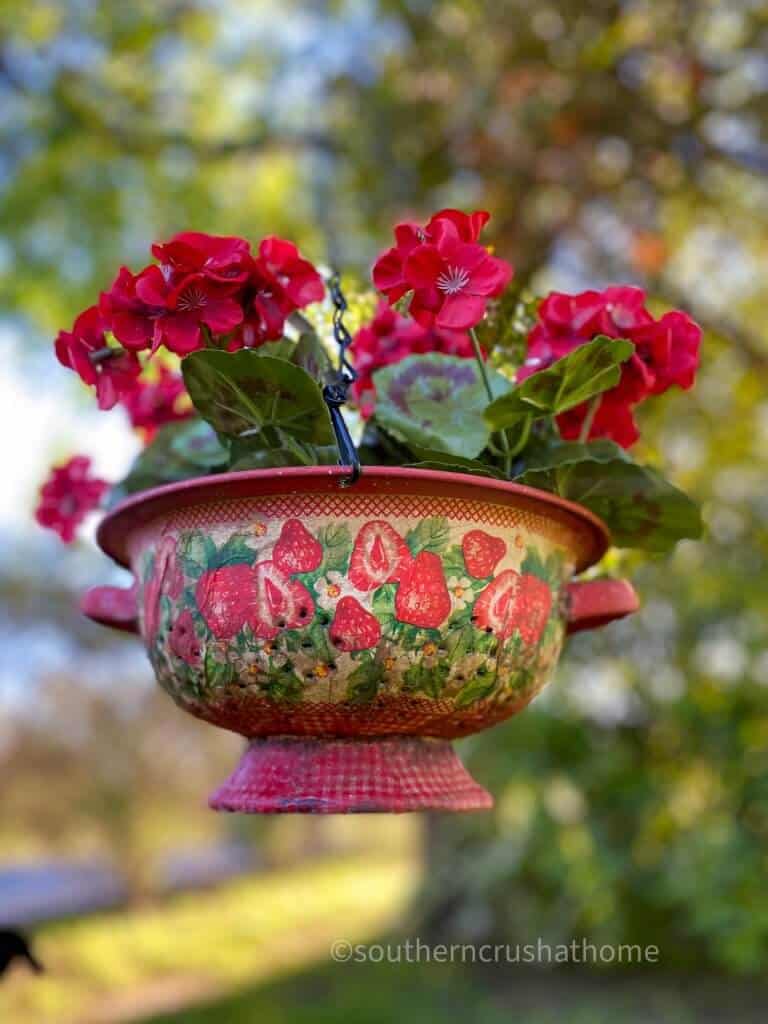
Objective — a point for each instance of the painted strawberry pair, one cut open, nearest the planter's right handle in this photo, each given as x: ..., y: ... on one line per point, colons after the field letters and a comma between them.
x: 513, y: 602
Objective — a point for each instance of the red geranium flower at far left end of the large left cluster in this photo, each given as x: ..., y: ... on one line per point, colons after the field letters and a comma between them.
x: 113, y: 374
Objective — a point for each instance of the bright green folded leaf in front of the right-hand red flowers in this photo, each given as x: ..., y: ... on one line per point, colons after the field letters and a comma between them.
x: 587, y: 371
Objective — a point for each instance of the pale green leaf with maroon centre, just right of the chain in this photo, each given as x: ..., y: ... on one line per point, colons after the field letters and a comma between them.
x: 436, y: 402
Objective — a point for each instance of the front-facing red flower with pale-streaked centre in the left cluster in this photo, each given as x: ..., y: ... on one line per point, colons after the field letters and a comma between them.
x: 186, y: 307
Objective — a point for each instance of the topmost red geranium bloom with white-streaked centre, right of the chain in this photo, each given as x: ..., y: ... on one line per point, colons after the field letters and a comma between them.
x: 449, y: 275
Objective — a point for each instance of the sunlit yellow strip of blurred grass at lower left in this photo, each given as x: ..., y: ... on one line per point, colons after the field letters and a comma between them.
x: 121, y: 966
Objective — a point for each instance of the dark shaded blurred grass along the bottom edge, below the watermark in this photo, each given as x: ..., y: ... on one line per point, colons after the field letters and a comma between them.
x: 412, y: 994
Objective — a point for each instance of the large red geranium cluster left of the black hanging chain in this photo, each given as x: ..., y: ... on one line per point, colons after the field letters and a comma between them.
x: 204, y: 290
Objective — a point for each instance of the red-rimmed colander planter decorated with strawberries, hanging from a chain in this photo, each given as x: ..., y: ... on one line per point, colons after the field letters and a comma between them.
x: 351, y: 633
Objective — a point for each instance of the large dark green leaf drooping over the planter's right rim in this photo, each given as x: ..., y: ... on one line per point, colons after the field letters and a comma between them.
x: 641, y: 508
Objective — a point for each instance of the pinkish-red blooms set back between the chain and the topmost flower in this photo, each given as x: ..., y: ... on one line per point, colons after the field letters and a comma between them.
x: 390, y: 338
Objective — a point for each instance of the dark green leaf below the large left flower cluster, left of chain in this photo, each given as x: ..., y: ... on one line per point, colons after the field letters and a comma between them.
x: 243, y: 394
